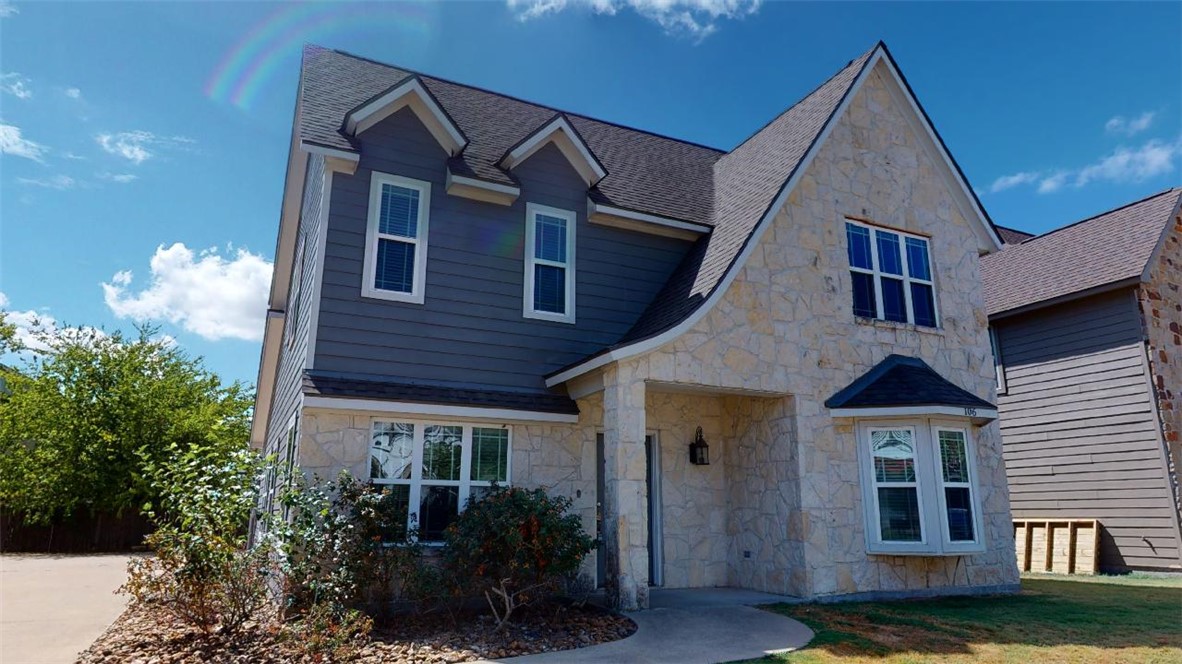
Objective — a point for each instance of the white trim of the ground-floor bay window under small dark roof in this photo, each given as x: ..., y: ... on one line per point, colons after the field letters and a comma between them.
x: 930, y: 480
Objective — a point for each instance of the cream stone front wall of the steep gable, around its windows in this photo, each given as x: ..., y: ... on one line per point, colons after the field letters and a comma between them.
x: 785, y: 326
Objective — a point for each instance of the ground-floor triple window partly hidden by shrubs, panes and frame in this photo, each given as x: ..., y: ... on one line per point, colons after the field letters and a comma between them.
x: 434, y: 470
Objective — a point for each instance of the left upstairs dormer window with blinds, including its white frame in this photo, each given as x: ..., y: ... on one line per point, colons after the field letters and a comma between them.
x: 397, y: 239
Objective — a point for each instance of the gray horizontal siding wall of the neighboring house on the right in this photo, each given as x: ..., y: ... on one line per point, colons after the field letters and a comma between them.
x: 1080, y: 429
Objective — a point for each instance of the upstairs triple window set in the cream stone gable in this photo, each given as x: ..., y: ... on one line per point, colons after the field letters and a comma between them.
x: 892, y: 276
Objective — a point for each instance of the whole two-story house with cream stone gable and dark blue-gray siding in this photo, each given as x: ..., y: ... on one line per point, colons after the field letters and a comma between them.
x: 472, y: 289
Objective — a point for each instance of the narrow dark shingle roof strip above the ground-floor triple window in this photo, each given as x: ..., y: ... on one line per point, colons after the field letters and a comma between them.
x: 352, y: 388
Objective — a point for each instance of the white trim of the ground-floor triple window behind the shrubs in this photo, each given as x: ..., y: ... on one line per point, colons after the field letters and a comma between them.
x: 417, y: 484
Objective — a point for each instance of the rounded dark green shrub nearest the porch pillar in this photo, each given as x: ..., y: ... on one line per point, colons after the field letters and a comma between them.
x: 517, y: 546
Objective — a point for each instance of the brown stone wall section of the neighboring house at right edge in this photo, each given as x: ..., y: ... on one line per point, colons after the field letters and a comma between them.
x: 1161, y: 310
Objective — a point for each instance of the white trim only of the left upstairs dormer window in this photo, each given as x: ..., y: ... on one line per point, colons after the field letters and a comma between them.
x: 417, y: 295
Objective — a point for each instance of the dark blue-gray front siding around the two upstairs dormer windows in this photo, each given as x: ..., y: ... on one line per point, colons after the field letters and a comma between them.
x: 470, y: 331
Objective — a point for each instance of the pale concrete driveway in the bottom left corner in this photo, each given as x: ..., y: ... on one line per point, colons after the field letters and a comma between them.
x: 54, y: 607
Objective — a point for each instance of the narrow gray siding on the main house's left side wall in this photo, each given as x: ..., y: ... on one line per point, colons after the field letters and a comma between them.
x: 294, y: 353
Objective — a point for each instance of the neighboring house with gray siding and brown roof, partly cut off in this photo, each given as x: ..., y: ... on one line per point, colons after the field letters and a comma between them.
x: 1088, y: 322
